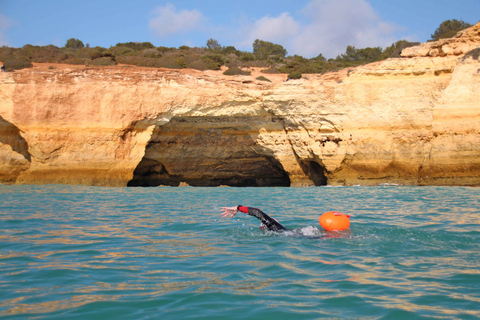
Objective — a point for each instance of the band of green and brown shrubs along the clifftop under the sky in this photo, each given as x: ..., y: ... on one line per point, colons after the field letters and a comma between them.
x: 273, y: 57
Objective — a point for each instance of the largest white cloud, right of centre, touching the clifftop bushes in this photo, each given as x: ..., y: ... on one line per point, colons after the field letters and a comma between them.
x: 328, y: 27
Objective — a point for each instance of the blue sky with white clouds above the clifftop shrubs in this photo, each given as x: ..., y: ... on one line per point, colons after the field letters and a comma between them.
x: 304, y: 27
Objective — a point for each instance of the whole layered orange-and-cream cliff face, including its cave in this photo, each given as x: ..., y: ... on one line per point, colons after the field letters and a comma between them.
x: 412, y: 120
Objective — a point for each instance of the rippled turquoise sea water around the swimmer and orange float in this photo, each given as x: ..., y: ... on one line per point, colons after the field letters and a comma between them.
x: 72, y: 252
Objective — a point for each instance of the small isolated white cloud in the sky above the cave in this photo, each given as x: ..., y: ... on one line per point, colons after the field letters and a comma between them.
x: 167, y: 21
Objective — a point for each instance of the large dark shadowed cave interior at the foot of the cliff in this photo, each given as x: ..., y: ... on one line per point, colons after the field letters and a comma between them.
x: 210, y: 151
